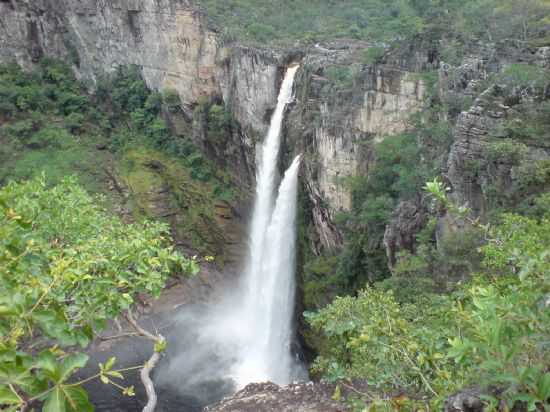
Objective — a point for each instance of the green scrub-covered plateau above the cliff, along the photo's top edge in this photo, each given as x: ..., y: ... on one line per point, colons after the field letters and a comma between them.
x: 285, y: 22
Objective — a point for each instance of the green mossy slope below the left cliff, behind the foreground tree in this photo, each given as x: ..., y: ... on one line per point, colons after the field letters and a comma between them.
x: 117, y: 143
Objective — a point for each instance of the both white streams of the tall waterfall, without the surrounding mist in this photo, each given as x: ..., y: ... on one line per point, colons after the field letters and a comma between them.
x: 268, y: 303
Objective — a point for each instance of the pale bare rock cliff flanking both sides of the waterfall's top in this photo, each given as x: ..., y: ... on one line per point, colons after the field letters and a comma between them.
x: 171, y: 42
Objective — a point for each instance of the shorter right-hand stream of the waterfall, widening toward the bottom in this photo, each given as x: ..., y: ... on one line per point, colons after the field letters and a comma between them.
x: 269, y: 308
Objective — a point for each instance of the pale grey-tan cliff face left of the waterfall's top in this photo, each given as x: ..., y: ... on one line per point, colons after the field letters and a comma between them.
x: 169, y: 40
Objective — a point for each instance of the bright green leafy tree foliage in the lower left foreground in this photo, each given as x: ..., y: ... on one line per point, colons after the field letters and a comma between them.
x: 66, y: 267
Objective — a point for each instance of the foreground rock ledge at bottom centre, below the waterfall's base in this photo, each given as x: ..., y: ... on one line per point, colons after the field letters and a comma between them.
x: 297, y: 397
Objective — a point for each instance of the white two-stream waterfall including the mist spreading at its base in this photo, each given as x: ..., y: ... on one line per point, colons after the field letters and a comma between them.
x: 246, y: 337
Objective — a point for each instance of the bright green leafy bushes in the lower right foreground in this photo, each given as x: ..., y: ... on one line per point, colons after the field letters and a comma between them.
x: 492, y: 331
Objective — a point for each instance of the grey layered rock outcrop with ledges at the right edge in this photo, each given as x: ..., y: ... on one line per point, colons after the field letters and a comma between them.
x: 482, y: 171
